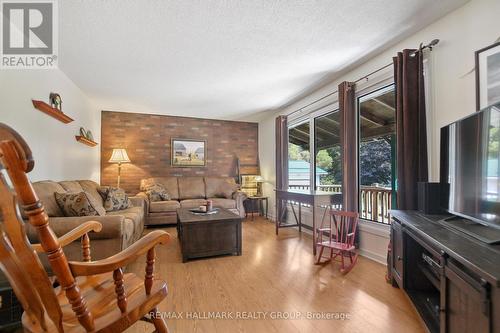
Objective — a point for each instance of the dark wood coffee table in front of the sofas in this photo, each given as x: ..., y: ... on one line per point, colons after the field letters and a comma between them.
x: 208, y: 235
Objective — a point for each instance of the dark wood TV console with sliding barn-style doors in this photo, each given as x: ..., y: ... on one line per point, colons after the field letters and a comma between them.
x: 452, y: 280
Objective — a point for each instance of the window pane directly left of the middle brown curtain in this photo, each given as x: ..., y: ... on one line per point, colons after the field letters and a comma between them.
x: 328, y: 175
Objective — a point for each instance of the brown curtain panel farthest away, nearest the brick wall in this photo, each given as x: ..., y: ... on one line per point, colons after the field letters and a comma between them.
x: 281, y: 158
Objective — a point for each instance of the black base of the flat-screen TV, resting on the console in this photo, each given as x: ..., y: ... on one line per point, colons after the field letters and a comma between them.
x: 484, y: 233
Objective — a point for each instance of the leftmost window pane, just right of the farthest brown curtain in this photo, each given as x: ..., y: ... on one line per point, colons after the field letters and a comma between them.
x: 299, y: 157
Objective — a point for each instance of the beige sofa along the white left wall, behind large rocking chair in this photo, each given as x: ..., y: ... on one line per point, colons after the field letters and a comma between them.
x: 120, y: 229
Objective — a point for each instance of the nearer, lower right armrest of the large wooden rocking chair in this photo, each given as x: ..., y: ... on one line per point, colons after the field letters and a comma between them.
x: 121, y: 259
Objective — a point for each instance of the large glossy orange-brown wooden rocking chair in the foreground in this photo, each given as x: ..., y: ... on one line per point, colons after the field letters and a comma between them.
x: 92, y: 296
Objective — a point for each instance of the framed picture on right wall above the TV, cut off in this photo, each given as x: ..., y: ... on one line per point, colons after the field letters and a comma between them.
x: 488, y: 76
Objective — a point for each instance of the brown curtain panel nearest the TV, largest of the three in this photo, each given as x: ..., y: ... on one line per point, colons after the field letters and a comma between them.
x: 411, y: 133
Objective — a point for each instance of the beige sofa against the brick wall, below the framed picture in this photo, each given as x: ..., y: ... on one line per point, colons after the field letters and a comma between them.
x: 188, y: 192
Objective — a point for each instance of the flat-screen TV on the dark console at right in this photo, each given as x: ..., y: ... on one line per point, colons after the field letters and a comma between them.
x: 470, y: 165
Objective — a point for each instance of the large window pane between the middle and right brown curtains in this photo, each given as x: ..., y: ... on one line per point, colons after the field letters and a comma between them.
x: 377, y: 153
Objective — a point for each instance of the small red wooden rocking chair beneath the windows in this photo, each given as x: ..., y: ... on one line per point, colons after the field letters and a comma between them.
x: 341, y: 233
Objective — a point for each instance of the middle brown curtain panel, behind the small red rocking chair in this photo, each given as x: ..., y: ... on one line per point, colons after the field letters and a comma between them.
x: 349, y: 149
